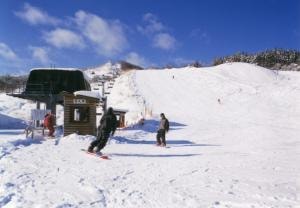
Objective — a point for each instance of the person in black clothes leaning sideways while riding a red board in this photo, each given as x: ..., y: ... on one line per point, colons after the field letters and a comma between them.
x: 108, y: 125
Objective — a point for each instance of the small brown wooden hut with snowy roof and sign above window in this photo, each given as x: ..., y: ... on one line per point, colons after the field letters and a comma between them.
x: 80, y: 112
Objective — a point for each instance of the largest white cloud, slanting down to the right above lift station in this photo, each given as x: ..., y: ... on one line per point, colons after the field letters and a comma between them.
x: 108, y: 36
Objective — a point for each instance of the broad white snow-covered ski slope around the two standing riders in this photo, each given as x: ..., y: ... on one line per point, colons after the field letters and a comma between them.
x: 234, y: 142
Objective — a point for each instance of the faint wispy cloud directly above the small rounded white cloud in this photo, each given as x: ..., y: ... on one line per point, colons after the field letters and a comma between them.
x: 152, y: 24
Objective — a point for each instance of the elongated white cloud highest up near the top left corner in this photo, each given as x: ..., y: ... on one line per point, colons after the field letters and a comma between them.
x: 35, y: 16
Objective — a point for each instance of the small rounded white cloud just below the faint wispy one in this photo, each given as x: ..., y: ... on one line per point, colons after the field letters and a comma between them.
x: 164, y: 41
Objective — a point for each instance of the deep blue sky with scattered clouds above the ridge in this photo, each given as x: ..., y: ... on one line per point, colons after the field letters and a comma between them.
x: 85, y: 33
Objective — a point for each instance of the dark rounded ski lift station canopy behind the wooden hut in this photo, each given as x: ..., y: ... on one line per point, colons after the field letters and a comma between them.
x: 45, y: 85
